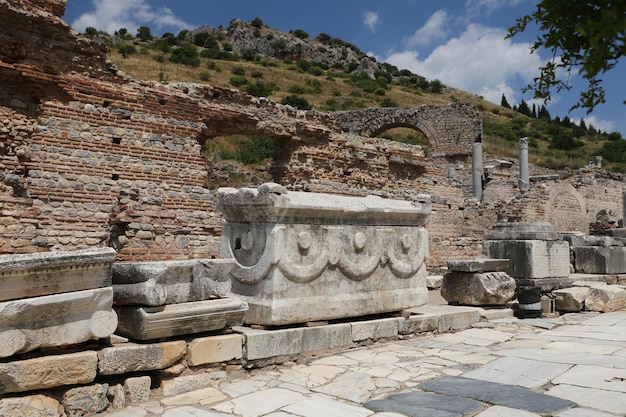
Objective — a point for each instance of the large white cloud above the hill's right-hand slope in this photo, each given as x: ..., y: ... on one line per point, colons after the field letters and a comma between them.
x: 480, y: 61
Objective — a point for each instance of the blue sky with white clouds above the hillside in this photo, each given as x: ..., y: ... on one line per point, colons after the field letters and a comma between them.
x: 459, y: 42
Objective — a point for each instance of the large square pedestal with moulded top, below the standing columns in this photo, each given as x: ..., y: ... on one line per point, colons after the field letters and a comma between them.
x: 538, y: 255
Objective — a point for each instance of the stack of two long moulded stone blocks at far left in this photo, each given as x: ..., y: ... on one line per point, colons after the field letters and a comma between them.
x: 55, y: 299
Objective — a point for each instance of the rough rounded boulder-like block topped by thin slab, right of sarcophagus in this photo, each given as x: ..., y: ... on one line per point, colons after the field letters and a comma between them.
x: 478, y: 282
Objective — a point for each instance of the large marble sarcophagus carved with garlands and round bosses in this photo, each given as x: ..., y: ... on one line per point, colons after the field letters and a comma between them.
x: 306, y: 256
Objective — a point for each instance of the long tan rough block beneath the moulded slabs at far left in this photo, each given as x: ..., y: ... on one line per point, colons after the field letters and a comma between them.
x: 48, y: 372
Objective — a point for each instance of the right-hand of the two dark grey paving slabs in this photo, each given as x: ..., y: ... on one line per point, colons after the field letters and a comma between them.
x: 511, y: 396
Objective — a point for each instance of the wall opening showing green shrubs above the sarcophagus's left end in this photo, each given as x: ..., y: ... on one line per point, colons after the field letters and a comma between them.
x: 239, y: 160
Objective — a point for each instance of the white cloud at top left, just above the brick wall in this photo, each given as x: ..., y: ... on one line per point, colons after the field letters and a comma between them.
x: 111, y: 15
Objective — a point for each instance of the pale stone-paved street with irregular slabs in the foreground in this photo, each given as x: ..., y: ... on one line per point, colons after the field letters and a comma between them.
x: 570, y: 366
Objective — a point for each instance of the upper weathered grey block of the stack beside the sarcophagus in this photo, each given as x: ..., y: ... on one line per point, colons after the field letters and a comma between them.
x: 171, y: 282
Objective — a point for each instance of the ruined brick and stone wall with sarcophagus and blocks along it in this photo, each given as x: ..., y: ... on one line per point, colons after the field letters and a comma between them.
x: 122, y: 261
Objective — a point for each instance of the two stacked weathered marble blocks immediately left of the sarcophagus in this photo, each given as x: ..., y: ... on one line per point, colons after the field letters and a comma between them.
x: 173, y: 298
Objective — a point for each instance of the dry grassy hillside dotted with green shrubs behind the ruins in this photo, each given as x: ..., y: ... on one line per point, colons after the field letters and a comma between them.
x: 329, y: 74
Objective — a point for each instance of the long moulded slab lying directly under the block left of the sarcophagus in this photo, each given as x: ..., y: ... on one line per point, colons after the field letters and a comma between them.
x: 146, y: 323
